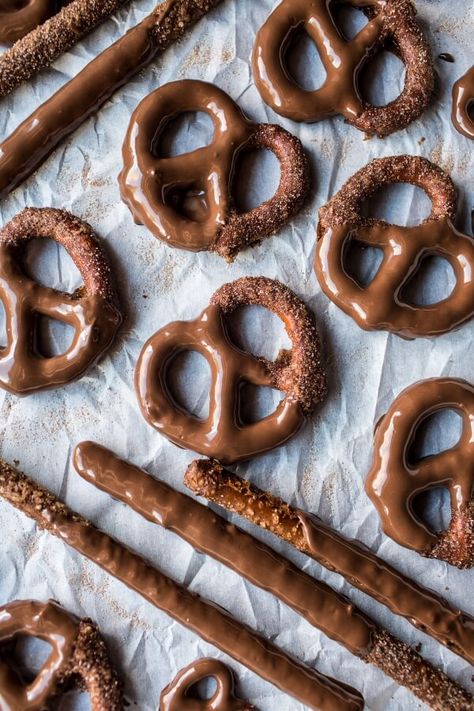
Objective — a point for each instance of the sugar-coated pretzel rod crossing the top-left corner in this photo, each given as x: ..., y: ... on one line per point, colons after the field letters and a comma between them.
x: 40, y: 47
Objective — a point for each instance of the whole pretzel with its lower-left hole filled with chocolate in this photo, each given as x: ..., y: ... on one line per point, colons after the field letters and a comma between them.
x: 186, y: 200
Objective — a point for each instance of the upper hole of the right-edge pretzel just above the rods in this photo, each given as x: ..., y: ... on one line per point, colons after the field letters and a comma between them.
x: 436, y: 433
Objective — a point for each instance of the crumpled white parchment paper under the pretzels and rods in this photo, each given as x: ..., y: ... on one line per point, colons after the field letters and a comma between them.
x: 323, y: 469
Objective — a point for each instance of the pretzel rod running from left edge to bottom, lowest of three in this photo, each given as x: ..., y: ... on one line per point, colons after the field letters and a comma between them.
x: 204, y: 618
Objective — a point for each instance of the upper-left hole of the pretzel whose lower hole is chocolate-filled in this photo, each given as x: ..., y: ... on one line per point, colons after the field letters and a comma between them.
x: 184, y: 133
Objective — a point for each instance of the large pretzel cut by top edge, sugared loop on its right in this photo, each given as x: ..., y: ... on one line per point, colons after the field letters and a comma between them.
x: 392, y: 24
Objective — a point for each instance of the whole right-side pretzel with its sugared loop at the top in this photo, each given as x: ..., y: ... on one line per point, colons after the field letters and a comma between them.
x: 380, y: 305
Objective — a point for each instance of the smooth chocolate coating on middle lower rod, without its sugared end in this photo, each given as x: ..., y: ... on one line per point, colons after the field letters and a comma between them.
x: 211, y: 534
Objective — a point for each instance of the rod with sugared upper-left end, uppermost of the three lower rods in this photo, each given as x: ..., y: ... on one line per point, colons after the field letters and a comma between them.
x: 423, y: 608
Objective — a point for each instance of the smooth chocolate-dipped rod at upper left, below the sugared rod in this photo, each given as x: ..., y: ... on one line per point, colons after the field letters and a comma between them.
x: 36, y: 138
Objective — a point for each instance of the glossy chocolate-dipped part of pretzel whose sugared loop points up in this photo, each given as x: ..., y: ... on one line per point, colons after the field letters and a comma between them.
x: 380, y: 305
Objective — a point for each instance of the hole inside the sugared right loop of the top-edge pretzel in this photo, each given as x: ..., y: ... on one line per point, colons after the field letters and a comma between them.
x: 381, y: 79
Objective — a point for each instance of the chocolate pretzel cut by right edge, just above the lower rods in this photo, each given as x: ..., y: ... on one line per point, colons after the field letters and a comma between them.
x: 394, y: 481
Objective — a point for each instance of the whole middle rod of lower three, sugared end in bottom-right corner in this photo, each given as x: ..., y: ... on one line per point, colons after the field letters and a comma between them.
x: 262, y: 566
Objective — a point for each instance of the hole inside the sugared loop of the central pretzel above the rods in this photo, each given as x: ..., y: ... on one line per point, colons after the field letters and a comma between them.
x: 258, y: 331
